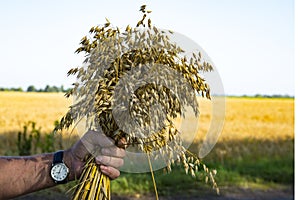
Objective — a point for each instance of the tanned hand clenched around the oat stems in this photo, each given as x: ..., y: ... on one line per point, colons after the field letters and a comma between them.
x: 107, y: 155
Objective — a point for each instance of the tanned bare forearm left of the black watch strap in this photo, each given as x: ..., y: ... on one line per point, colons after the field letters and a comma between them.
x: 22, y: 175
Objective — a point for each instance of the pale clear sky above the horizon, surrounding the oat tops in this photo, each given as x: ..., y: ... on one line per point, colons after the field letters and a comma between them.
x: 251, y: 42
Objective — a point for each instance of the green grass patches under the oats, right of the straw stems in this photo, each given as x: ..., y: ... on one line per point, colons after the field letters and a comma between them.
x: 168, y: 184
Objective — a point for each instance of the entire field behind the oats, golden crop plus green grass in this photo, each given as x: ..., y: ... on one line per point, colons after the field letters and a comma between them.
x: 255, y: 151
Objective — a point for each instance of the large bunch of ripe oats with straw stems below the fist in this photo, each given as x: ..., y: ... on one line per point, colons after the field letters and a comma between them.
x: 133, y: 84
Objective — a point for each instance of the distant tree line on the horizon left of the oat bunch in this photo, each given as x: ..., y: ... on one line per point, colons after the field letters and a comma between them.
x: 32, y: 88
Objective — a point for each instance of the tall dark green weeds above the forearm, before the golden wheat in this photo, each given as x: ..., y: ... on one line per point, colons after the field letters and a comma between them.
x: 32, y: 141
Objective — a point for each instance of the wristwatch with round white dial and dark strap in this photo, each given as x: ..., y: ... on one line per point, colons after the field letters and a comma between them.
x: 59, y: 170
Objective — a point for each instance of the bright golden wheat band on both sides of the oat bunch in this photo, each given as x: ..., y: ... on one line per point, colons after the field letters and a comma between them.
x: 257, y: 118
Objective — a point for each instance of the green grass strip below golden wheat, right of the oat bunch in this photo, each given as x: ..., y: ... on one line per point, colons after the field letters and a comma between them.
x: 254, y: 161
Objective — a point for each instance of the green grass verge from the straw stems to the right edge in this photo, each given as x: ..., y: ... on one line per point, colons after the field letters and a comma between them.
x: 250, y: 163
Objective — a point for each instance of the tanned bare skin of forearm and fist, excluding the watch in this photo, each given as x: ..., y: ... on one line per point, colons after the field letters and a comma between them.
x: 21, y: 175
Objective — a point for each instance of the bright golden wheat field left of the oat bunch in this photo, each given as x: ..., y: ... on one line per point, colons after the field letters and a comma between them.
x: 17, y: 108
